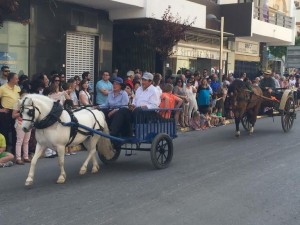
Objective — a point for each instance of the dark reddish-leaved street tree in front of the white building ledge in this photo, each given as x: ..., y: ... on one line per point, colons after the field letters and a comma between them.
x: 163, y: 35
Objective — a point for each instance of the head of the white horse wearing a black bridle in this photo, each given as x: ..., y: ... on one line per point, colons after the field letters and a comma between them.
x: 29, y: 112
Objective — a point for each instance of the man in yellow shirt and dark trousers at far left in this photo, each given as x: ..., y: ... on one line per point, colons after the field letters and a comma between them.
x: 9, y: 95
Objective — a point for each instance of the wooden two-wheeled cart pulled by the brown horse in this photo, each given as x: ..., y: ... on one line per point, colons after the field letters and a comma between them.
x: 284, y: 107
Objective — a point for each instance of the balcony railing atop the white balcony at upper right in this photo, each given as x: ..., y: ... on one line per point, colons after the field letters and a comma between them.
x: 274, y: 17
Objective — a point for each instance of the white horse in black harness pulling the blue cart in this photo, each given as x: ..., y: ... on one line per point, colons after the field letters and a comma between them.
x: 48, y: 117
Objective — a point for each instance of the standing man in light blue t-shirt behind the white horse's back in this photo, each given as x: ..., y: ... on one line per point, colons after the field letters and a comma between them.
x: 103, y: 87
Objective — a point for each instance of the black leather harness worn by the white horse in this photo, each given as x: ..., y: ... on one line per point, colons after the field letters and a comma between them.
x: 54, y: 116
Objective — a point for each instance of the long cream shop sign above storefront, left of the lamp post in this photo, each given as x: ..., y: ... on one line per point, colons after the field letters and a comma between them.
x: 197, y: 53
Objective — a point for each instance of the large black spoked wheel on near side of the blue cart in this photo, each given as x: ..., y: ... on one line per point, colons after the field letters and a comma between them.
x: 161, y: 151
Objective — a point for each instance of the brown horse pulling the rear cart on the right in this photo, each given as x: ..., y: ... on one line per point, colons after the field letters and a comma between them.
x: 245, y: 101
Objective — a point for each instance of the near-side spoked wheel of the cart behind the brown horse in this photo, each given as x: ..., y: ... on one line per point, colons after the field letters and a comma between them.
x: 288, y: 114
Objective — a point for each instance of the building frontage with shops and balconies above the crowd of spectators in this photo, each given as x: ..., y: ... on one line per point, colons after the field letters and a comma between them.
x: 73, y: 36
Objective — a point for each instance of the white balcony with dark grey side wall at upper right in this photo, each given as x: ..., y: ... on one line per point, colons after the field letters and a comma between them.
x: 259, y: 24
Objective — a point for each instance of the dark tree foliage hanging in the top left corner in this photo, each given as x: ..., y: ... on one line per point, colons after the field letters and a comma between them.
x: 9, y: 10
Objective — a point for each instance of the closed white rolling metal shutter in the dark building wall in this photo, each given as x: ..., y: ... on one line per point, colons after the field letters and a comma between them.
x: 80, y: 55
